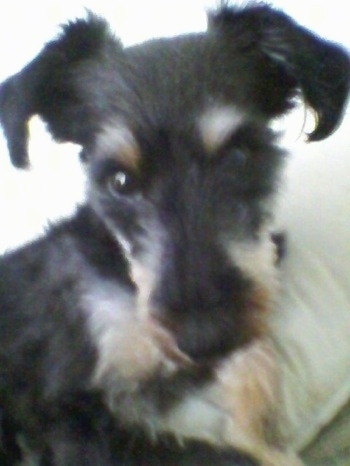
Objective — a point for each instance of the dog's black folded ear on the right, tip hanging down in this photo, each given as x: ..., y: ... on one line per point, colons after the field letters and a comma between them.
x: 290, y: 59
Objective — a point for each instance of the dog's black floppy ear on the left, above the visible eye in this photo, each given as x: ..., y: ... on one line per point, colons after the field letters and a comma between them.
x: 69, y: 84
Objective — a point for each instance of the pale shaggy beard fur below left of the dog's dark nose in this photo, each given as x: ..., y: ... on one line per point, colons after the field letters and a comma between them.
x: 142, y: 372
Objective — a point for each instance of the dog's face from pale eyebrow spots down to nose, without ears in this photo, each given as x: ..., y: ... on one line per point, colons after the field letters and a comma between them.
x: 190, y: 207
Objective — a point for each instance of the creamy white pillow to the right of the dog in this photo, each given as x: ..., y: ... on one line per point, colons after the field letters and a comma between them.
x: 312, y: 325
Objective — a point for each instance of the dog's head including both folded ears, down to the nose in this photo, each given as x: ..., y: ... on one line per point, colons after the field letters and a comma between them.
x: 182, y: 163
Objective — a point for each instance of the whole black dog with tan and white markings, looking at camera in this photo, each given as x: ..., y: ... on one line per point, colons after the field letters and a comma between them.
x: 134, y: 332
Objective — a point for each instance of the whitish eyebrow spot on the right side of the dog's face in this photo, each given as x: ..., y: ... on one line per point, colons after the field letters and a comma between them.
x: 217, y: 124
